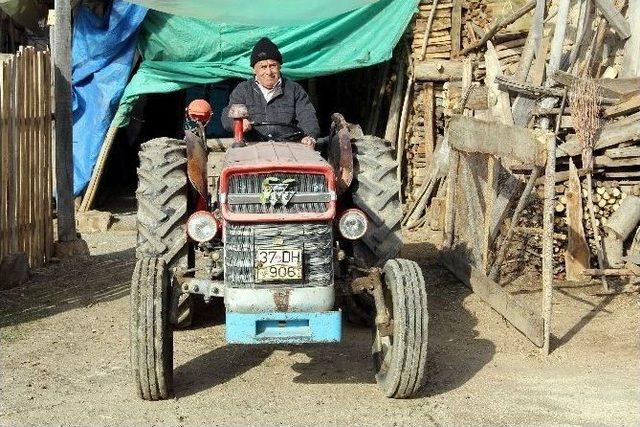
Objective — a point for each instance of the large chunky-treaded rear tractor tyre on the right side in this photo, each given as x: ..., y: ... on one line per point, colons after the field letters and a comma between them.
x: 375, y: 190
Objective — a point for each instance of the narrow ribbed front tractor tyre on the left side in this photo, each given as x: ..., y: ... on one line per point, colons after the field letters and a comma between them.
x: 151, y: 335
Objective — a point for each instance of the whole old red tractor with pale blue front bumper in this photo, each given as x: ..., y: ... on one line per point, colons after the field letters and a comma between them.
x: 282, y: 233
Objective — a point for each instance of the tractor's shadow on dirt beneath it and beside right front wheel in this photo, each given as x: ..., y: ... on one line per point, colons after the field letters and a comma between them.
x: 456, y: 354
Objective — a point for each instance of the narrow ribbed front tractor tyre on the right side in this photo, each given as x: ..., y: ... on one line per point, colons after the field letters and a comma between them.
x: 401, y: 357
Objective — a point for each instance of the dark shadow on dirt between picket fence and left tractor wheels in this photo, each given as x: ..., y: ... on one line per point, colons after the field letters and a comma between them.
x: 66, y: 286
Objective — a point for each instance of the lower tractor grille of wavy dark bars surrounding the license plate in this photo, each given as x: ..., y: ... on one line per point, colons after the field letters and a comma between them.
x: 242, y: 241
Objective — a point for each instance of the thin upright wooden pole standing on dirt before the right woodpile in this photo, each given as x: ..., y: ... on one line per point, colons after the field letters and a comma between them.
x: 547, y: 239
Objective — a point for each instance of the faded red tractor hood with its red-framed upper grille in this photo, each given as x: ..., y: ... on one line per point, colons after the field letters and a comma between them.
x: 275, y: 182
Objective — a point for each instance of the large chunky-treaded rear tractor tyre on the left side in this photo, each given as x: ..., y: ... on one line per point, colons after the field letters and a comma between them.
x: 162, y: 196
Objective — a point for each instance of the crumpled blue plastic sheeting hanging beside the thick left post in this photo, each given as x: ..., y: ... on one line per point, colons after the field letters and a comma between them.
x: 102, y: 58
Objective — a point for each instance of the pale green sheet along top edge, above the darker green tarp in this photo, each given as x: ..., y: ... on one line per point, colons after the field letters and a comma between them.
x: 256, y: 12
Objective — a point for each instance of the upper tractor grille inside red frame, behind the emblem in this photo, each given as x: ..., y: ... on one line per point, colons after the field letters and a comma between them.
x: 311, y: 194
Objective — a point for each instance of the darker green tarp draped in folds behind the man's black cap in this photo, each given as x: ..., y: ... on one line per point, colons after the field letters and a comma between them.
x: 180, y: 52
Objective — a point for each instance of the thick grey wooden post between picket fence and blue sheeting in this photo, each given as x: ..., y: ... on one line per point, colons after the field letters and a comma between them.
x: 64, y: 124
